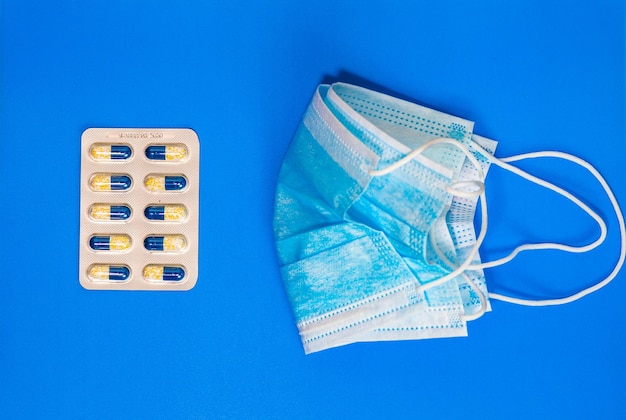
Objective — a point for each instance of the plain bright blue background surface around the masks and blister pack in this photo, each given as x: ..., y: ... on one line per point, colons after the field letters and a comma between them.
x: 535, y: 75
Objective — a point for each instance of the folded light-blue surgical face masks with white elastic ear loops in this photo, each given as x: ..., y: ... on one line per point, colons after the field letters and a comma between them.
x: 374, y: 220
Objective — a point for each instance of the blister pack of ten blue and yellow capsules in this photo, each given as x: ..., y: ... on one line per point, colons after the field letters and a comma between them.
x: 139, y: 209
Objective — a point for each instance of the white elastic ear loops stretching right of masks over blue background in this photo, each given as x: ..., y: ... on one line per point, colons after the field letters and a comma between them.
x: 603, y: 230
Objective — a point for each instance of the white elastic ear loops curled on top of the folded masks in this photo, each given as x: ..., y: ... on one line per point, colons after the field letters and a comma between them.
x: 460, y: 270
